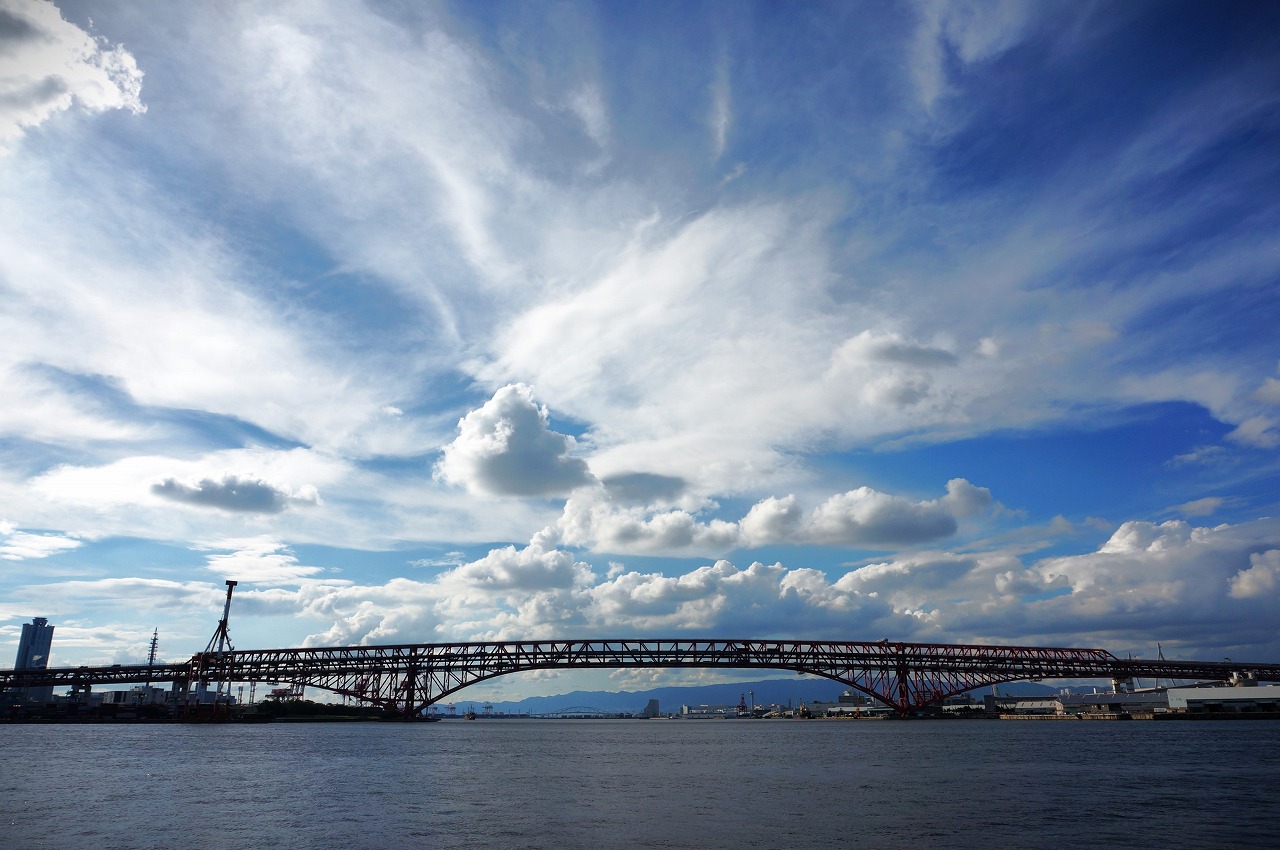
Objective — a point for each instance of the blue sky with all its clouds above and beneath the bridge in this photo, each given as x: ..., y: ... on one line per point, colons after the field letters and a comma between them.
x: 934, y: 322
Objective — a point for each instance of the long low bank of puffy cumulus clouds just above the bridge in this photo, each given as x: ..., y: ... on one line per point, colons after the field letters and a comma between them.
x: 1187, y: 587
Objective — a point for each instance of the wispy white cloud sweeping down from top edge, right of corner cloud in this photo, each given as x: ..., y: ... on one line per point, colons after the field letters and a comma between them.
x: 380, y: 140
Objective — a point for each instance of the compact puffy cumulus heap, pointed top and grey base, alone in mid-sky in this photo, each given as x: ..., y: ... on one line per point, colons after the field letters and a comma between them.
x: 506, y: 447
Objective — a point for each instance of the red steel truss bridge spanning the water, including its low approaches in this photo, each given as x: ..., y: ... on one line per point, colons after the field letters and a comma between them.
x: 410, y: 678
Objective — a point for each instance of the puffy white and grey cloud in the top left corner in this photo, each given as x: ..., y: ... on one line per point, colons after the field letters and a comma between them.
x: 49, y: 65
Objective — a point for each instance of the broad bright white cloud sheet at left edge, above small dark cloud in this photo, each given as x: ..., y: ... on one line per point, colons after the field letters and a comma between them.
x: 104, y: 284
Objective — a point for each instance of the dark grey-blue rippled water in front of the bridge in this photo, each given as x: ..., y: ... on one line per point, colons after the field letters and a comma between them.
x: 641, y: 784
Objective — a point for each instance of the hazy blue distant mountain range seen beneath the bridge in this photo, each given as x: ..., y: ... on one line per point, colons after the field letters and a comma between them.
x: 781, y: 692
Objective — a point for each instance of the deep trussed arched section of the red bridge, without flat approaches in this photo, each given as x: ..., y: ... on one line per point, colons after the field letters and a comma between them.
x: 906, y: 677
